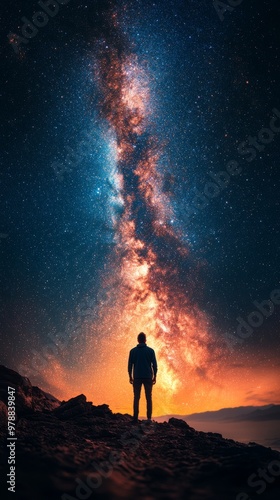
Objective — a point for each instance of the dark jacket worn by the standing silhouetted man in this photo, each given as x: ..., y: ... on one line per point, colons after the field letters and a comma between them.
x: 143, y: 359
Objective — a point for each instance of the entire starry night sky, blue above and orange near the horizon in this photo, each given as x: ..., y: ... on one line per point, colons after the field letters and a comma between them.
x: 140, y: 191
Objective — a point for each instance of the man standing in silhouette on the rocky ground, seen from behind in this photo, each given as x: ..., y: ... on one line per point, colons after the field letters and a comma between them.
x: 142, y: 360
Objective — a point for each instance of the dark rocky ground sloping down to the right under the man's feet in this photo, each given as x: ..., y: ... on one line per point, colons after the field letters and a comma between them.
x: 76, y: 450
